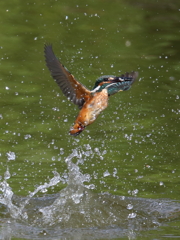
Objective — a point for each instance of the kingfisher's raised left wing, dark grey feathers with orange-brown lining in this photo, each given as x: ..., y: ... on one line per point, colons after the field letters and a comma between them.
x: 71, y: 88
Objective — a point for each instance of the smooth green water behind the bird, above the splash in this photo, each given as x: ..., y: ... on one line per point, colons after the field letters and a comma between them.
x: 136, y: 140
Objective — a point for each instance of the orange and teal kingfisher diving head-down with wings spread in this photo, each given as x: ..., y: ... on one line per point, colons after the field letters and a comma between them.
x: 90, y: 102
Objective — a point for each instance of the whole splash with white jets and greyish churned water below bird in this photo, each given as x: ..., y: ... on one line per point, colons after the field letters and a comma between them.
x: 76, y: 212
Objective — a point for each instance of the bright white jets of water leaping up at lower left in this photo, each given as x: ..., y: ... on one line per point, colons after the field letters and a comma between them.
x: 74, y: 191
